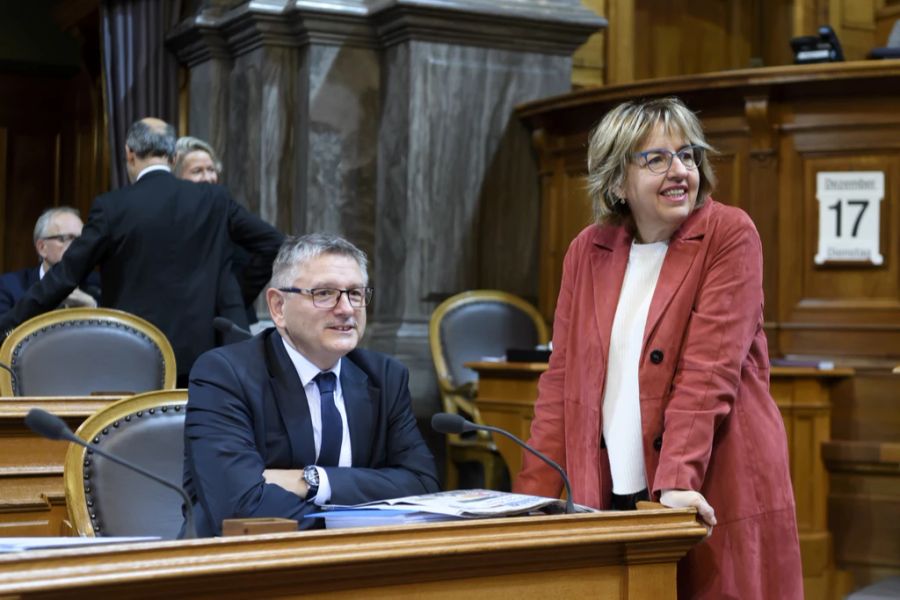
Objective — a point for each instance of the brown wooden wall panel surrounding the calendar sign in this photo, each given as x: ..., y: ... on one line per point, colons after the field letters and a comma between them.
x: 863, y: 302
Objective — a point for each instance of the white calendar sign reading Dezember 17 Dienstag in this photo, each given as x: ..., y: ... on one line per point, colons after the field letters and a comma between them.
x: 849, y: 216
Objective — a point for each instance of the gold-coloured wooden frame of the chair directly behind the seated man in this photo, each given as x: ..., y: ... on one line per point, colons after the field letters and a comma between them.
x: 92, y: 427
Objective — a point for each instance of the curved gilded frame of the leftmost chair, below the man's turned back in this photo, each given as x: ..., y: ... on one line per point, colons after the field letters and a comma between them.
x: 29, y: 327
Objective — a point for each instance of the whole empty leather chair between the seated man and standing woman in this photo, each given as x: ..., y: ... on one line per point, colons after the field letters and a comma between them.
x: 465, y: 328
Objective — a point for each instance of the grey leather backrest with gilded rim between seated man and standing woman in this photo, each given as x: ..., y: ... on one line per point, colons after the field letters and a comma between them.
x: 473, y: 325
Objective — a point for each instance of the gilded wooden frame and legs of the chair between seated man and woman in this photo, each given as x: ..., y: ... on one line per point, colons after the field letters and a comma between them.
x: 455, y: 399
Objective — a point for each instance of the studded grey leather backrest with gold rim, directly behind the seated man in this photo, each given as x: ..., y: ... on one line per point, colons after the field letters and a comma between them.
x: 106, y: 499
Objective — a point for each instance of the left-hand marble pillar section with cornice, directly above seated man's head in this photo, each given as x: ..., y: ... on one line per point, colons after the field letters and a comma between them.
x: 288, y: 91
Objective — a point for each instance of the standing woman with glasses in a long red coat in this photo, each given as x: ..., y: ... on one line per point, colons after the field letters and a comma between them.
x: 658, y: 385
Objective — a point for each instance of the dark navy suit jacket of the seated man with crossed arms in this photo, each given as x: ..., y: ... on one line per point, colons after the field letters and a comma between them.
x: 247, y: 412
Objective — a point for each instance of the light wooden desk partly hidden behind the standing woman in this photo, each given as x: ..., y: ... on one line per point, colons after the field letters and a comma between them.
x: 506, y: 396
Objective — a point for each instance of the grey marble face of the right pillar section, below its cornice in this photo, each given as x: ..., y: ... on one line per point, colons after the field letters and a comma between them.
x: 453, y: 166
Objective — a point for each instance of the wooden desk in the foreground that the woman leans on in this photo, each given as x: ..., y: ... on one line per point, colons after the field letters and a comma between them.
x: 628, y: 555
